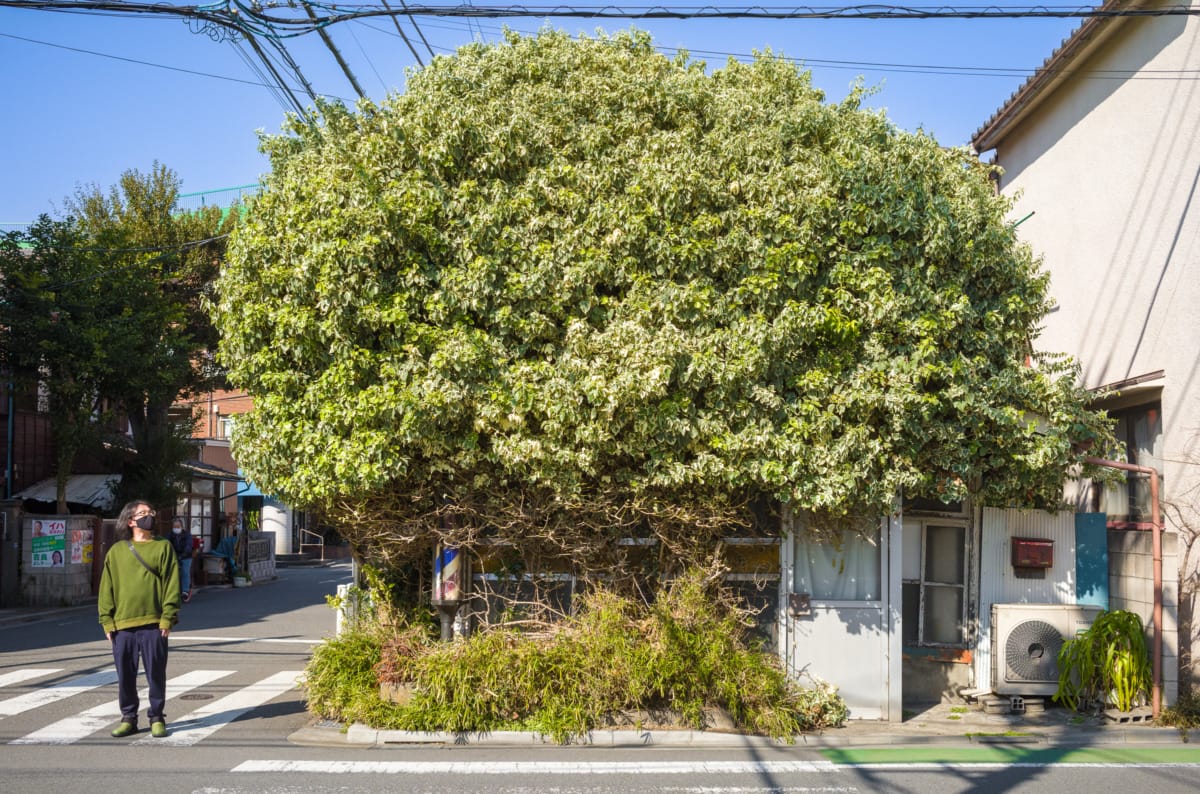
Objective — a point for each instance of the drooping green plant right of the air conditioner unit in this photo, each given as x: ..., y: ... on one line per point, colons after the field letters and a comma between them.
x: 1106, y: 665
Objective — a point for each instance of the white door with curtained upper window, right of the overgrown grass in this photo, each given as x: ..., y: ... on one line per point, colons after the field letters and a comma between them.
x: 838, y: 618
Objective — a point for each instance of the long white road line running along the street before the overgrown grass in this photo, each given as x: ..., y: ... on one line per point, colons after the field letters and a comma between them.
x: 539, y: 768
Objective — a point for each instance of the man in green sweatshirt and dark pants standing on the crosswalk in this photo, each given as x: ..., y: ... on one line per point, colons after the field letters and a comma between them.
x: 139, y: 605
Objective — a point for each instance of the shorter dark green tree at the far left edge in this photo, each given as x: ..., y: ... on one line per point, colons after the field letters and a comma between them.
x: 63, y: 317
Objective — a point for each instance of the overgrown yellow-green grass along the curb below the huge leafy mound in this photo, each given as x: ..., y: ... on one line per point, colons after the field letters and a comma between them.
x: 687, y: 654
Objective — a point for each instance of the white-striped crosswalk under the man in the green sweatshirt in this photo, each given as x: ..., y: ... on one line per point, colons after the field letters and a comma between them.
x: 185, y: 731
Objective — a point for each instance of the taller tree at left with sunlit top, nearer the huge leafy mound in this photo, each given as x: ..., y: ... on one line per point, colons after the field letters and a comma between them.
x: 176, y: 257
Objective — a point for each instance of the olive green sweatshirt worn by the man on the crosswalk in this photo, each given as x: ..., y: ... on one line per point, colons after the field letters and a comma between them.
x: 133, y: 597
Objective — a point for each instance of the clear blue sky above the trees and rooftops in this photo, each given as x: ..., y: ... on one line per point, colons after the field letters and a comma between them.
x: 151, y: 89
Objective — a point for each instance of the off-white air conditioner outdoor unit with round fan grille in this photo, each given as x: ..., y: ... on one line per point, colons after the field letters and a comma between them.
x: 1025, y: 643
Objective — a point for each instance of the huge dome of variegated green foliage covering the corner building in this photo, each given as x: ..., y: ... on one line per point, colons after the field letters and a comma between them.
x: 565, y: 291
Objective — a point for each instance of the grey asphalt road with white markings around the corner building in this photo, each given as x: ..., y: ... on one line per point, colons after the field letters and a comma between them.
x: 235, y: 705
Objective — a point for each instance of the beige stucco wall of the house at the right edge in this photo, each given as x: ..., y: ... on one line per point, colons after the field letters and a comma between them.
x: 1111, y: 169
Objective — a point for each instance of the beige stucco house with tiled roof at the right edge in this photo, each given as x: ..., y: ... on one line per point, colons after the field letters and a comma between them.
x: 1101, y: 152
